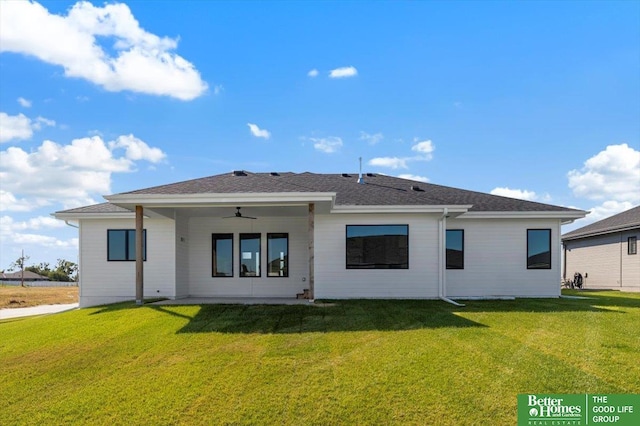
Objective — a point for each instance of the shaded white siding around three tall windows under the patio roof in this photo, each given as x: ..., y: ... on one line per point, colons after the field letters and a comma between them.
x: 202, y: 284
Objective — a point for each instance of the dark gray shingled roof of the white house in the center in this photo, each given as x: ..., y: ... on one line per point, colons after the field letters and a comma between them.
x: 377, y: 190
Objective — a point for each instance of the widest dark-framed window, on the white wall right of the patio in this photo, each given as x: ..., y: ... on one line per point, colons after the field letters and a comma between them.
x: 377, y: 246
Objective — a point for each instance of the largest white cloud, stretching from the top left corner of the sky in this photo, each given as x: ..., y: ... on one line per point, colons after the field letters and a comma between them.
x: 142, y: 62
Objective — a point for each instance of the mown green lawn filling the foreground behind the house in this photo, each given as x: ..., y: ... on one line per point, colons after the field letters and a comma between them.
x: 349, y: 362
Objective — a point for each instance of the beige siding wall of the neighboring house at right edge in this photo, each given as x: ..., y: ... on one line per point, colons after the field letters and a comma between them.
x: 604, y: 261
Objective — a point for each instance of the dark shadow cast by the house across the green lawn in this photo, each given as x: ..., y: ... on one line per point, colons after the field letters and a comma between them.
x: 369, y: 315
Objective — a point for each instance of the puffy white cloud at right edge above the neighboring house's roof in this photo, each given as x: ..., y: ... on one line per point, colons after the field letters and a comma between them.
x: 612, y: 174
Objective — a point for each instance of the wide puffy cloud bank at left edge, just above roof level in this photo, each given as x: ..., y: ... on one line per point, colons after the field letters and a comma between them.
x: 67, y: 174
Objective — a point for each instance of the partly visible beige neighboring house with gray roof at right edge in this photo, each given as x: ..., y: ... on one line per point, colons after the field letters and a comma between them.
x: 605, y: 252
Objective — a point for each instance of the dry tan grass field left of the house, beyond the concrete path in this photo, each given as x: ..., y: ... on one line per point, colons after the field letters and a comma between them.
x: 22, y: 297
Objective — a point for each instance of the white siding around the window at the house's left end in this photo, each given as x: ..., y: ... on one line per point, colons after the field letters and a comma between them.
x: 109, y: 282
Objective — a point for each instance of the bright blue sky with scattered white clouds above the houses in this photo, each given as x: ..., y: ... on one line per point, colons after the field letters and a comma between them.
x: 535, y: 100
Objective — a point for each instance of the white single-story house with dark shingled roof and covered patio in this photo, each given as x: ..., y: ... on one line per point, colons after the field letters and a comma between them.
x: 335, y: 234
